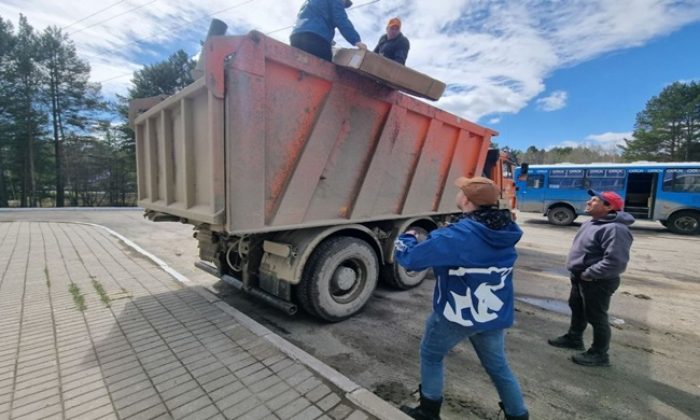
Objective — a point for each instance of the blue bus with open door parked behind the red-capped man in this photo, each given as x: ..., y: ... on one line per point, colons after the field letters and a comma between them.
x: 667, y: 192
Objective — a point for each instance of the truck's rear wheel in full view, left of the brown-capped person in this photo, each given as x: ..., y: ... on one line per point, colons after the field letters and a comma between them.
x: 338, y: 279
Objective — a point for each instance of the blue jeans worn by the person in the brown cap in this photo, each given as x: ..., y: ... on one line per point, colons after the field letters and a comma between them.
x: 442, y: 335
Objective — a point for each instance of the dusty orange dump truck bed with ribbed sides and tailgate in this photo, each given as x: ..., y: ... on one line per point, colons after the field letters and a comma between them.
x: 272, y: 138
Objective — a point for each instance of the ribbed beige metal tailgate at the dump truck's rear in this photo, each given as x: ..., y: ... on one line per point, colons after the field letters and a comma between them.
x: 180, y: 155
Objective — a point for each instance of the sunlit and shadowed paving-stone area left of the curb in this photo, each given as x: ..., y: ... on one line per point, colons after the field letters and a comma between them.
x: 89, y: 329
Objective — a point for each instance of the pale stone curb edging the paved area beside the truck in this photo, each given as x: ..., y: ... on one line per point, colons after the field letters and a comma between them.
x: 360, y: 396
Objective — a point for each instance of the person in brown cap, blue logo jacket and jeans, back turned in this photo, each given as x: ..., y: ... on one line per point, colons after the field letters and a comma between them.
x: 473, y: 263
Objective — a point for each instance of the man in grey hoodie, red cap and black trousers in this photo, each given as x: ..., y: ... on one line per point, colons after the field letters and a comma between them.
x: 598, y: 256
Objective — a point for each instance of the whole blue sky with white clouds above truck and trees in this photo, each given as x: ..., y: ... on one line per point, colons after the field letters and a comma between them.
x: 541, y: 73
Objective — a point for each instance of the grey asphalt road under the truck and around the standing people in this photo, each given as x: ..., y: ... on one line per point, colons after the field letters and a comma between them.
x: 655, y: 351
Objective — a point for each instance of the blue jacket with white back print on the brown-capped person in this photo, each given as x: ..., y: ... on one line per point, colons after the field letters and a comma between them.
x: 473, y: 265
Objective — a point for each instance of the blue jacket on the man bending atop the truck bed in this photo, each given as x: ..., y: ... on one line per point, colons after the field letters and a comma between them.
x: 321, y: 17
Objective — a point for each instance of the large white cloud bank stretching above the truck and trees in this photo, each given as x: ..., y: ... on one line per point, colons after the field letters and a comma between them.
x: 494, y: 55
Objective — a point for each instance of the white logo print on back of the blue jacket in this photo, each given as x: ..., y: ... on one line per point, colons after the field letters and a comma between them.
x: 486, y: 305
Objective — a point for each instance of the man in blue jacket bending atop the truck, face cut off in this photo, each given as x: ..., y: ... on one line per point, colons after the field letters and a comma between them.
x: 315, y: 27
